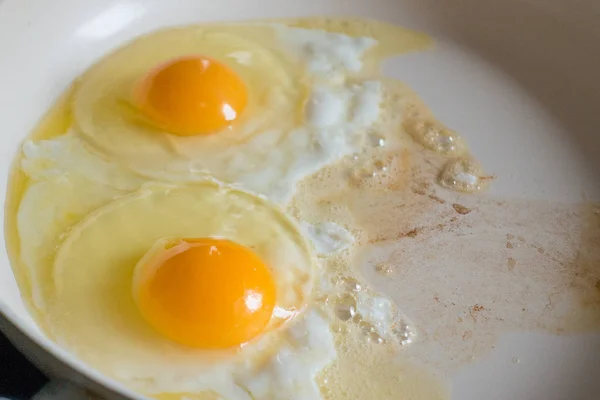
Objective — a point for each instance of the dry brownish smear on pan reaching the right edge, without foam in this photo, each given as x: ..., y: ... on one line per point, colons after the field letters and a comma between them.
x: 554, y: 286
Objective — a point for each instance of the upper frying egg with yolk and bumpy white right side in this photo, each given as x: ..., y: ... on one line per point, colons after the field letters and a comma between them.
x: 261, y: 106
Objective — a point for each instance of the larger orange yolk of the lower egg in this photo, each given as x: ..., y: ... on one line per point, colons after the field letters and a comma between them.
x: 206, y: 293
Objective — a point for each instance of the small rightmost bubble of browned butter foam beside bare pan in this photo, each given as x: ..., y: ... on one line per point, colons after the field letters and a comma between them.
x: 463, y: 174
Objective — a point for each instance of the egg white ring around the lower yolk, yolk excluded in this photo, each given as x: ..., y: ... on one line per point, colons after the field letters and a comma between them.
x: 93, y: 313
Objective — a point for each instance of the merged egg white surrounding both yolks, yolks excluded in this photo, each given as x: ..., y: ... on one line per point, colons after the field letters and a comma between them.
x: 106, y: 161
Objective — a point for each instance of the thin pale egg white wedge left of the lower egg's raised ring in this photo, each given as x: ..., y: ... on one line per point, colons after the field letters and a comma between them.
x: 67, y: 181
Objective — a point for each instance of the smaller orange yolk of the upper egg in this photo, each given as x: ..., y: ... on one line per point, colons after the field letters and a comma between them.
x: 192, y: 95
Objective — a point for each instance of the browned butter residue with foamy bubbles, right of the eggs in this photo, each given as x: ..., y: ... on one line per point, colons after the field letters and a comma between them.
x: 458, y: 275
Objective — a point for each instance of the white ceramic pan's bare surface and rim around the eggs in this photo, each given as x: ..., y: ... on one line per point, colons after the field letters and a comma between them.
x: 520, y: 79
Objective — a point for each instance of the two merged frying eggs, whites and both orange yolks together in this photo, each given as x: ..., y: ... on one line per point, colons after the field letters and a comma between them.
x: 157, y: 228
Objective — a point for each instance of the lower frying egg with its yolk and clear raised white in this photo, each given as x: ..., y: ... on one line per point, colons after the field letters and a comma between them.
x: 137, y: 242
